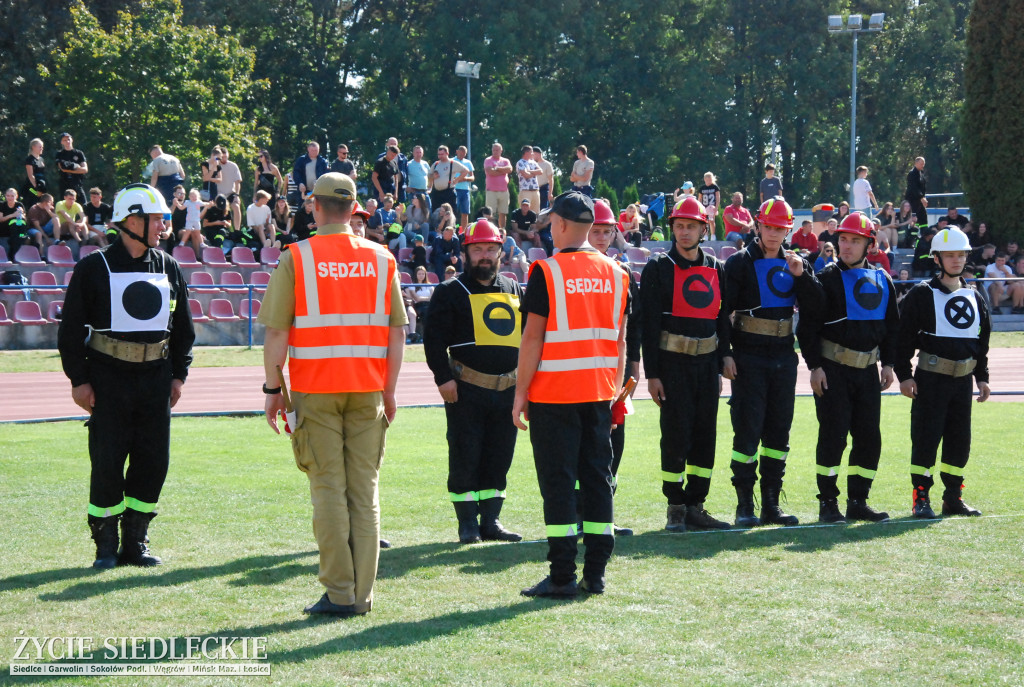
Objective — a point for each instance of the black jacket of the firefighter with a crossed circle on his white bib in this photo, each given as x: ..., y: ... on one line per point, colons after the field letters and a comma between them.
x: 917, y: 332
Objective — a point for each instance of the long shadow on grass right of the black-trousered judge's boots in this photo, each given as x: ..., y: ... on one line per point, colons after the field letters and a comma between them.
x: 697, y: 546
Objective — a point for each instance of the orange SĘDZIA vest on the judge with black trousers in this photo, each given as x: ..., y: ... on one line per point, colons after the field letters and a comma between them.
x: 587, y: 303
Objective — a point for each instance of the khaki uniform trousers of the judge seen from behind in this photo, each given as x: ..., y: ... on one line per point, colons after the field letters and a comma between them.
x: 339, y: 444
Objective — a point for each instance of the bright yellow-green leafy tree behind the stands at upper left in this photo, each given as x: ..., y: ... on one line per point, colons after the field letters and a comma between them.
x: 152, y: 80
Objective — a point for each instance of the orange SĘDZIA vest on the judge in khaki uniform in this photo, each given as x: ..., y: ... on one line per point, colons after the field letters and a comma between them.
x: 338, y: 342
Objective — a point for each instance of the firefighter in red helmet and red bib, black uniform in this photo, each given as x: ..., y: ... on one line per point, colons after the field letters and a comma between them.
x: 686, y: 331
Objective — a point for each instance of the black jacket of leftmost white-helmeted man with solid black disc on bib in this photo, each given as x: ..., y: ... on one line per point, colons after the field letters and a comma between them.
x: 88, y: 304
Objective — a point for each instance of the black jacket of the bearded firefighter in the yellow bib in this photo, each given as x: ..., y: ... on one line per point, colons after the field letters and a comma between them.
x: 450, y: 327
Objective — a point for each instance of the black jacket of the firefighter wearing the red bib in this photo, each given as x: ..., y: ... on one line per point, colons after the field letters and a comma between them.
x: 658, y: 291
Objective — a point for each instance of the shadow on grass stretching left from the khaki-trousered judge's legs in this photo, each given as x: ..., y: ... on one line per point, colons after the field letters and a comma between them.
x: 254, y: 568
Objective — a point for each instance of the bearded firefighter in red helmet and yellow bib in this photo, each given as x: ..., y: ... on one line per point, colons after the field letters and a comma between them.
x: 472, y: 341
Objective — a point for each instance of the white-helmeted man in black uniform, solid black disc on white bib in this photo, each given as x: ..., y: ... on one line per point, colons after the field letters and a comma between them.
x: 125, y: 343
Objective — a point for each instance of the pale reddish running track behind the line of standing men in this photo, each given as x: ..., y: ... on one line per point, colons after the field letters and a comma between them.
x: 229, y: 391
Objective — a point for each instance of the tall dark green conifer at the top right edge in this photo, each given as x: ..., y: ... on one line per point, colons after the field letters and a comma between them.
x: 992, y: 126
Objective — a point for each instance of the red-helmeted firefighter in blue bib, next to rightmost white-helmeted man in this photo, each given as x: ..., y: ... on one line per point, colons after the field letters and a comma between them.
x: 844, y: 332
